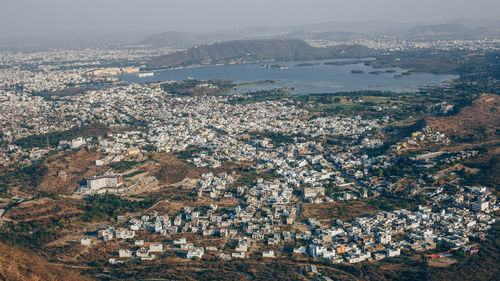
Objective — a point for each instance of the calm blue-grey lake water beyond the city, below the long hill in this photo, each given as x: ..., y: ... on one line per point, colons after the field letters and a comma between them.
x: 305, y: 79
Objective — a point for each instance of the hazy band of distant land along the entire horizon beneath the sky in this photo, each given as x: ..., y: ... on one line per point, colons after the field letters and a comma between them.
x: 330, y: 31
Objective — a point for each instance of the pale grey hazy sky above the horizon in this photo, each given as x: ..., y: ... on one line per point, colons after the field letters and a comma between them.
x: 32, y: 17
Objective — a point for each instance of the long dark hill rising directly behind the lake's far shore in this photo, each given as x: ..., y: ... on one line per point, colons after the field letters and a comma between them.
x: 255, y: 50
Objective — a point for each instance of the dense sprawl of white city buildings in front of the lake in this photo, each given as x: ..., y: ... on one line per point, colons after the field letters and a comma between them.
x: 294, y: 165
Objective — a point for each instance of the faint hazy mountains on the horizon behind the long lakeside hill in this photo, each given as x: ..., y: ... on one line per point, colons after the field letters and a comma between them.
x: 334, y: 31
